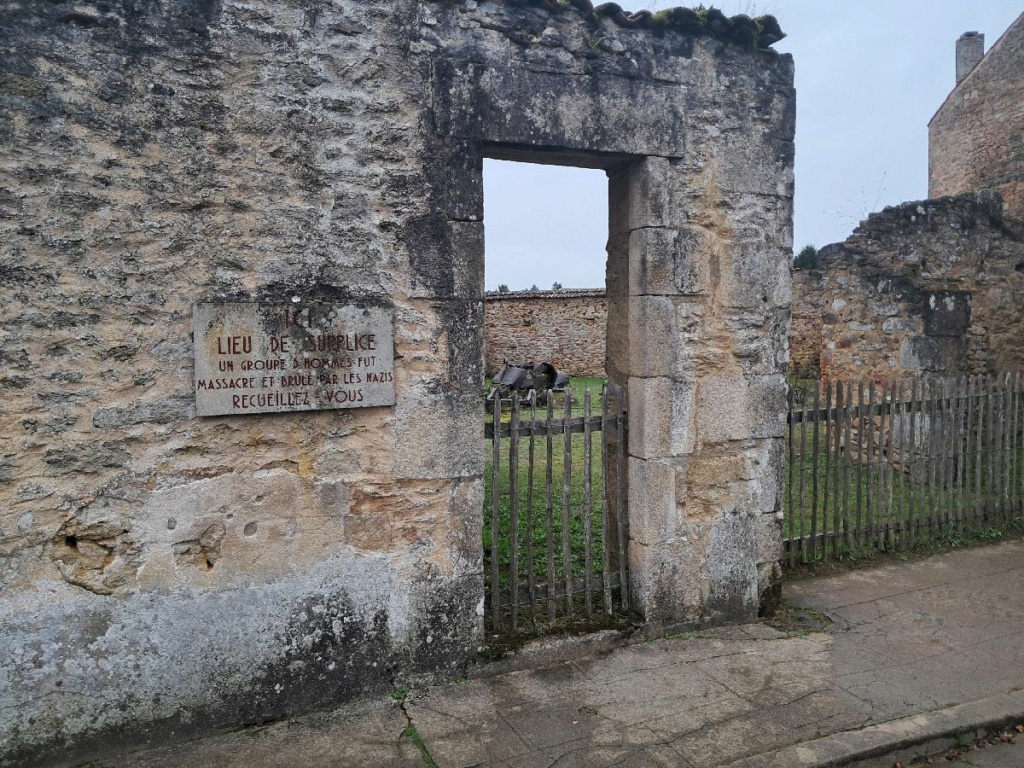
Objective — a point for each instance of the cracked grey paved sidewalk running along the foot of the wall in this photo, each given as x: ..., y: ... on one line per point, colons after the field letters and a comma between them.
x: 915, y: 653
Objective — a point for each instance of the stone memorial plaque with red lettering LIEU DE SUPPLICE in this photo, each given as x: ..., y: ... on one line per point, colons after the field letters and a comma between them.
x: 265, y: 359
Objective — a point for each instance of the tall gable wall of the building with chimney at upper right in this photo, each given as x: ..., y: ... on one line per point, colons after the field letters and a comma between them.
x: 976, y: 140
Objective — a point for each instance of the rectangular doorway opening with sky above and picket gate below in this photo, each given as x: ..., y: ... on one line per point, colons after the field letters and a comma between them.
x: 556, y: 528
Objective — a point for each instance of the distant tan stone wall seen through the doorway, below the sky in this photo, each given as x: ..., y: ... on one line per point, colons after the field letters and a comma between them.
x: 564, y: 328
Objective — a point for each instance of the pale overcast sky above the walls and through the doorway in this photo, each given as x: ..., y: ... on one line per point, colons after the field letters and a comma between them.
x: 870, y: 76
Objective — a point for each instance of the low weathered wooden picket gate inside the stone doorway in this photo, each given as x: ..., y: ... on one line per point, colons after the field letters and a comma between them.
x: 556, y: 547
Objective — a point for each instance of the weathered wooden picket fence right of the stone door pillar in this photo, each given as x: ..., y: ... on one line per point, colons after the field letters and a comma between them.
x: 885, y: 464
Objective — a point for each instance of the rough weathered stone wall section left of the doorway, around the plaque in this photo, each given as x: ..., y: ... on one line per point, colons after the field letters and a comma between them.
x: 197, y: 573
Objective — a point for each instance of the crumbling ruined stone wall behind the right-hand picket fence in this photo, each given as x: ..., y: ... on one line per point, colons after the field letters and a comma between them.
x: 930, y: 287
